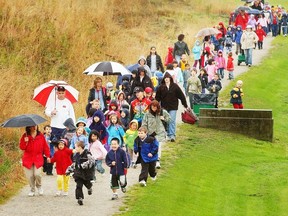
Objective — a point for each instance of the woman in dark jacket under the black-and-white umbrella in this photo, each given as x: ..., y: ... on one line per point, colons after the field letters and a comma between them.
x: 98, y: 92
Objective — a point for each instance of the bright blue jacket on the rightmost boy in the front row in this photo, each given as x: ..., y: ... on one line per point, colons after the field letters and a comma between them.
x: 146, y: 146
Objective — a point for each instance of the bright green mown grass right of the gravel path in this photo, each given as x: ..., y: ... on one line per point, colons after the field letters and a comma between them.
x: 209, y: 172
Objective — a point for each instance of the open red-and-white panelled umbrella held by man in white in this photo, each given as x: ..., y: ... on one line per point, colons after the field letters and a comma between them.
x: 46, y: 93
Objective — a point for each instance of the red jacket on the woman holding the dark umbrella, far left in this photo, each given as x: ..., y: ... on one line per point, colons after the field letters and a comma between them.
x: 34, y: 150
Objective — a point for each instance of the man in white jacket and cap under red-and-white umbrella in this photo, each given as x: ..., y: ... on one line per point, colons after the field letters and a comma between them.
x: 59, y: 112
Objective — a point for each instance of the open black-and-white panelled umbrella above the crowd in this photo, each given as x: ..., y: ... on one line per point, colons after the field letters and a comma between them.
x: 106, y: 68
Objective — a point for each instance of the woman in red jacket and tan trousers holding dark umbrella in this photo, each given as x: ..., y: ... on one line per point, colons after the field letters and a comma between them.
x: 33, y: 144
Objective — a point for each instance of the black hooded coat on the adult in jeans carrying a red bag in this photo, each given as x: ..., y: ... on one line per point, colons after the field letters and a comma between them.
x: 168, y: 97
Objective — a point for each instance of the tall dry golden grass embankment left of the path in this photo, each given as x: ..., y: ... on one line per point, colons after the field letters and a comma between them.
x: 45, y: 40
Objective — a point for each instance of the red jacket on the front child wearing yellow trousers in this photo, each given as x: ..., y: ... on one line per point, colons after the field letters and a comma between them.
x: 62, y: 159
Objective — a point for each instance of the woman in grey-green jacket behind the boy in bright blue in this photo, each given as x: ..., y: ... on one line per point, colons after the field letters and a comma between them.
x: 154, y: 121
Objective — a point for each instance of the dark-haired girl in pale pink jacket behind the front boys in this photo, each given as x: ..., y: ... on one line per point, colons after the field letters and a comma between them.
x: 97, y: 150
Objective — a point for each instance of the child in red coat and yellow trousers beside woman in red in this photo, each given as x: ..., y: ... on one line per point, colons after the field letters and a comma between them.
x: 62, y: 157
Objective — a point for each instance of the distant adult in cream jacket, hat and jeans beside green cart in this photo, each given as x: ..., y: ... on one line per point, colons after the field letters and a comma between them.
x: 248, y: 40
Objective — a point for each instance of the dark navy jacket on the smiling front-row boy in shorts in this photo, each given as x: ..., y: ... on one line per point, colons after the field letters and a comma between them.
x: 121, y: 159
